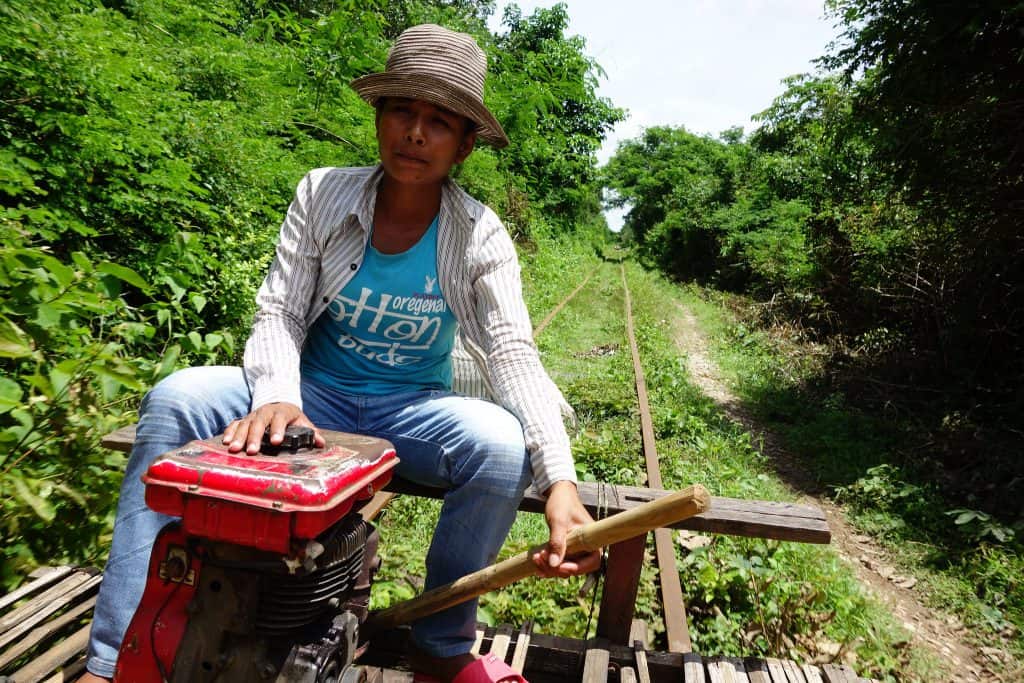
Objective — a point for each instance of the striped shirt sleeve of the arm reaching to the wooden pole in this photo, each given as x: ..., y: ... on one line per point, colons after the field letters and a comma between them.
x: 521, y: 382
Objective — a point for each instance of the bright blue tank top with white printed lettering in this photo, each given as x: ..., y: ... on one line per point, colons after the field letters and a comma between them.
x: 389, y: 330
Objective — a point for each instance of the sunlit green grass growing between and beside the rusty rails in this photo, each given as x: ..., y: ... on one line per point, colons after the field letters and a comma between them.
x: 745, y: 596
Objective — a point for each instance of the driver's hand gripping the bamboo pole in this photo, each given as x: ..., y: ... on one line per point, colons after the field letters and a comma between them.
x: 565, y: 513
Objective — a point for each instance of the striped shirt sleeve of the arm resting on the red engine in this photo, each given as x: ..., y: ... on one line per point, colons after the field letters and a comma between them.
x: 273, y: 353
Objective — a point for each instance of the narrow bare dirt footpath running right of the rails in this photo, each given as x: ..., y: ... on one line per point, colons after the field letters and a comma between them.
x: 942, y: 634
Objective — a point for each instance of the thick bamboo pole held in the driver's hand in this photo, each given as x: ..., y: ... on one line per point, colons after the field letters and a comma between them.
x: 662, y: 513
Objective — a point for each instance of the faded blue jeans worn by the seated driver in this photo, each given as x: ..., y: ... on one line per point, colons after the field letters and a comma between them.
x: 471, y: 447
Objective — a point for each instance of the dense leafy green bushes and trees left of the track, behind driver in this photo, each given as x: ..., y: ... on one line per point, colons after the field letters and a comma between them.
x: 148, y: 153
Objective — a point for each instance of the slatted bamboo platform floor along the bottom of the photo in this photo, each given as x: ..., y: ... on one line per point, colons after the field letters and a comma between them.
x: 45, y: 628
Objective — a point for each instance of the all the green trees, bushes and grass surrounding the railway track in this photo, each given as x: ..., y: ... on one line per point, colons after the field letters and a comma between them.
x: 150, y: 148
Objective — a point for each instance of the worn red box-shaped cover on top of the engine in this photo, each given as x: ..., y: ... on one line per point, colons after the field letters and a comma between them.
x: 264, y: 501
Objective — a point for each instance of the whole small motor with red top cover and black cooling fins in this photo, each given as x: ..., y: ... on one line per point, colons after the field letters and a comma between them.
x: 267, y: 575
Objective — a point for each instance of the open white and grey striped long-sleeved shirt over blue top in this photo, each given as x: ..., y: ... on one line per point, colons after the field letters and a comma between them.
x: 322, y: 245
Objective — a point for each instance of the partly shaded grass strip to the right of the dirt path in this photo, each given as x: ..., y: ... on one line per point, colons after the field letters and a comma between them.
x: 867, y: 461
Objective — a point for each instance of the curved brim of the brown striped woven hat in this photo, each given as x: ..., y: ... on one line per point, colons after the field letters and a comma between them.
x: 437, y: 92
